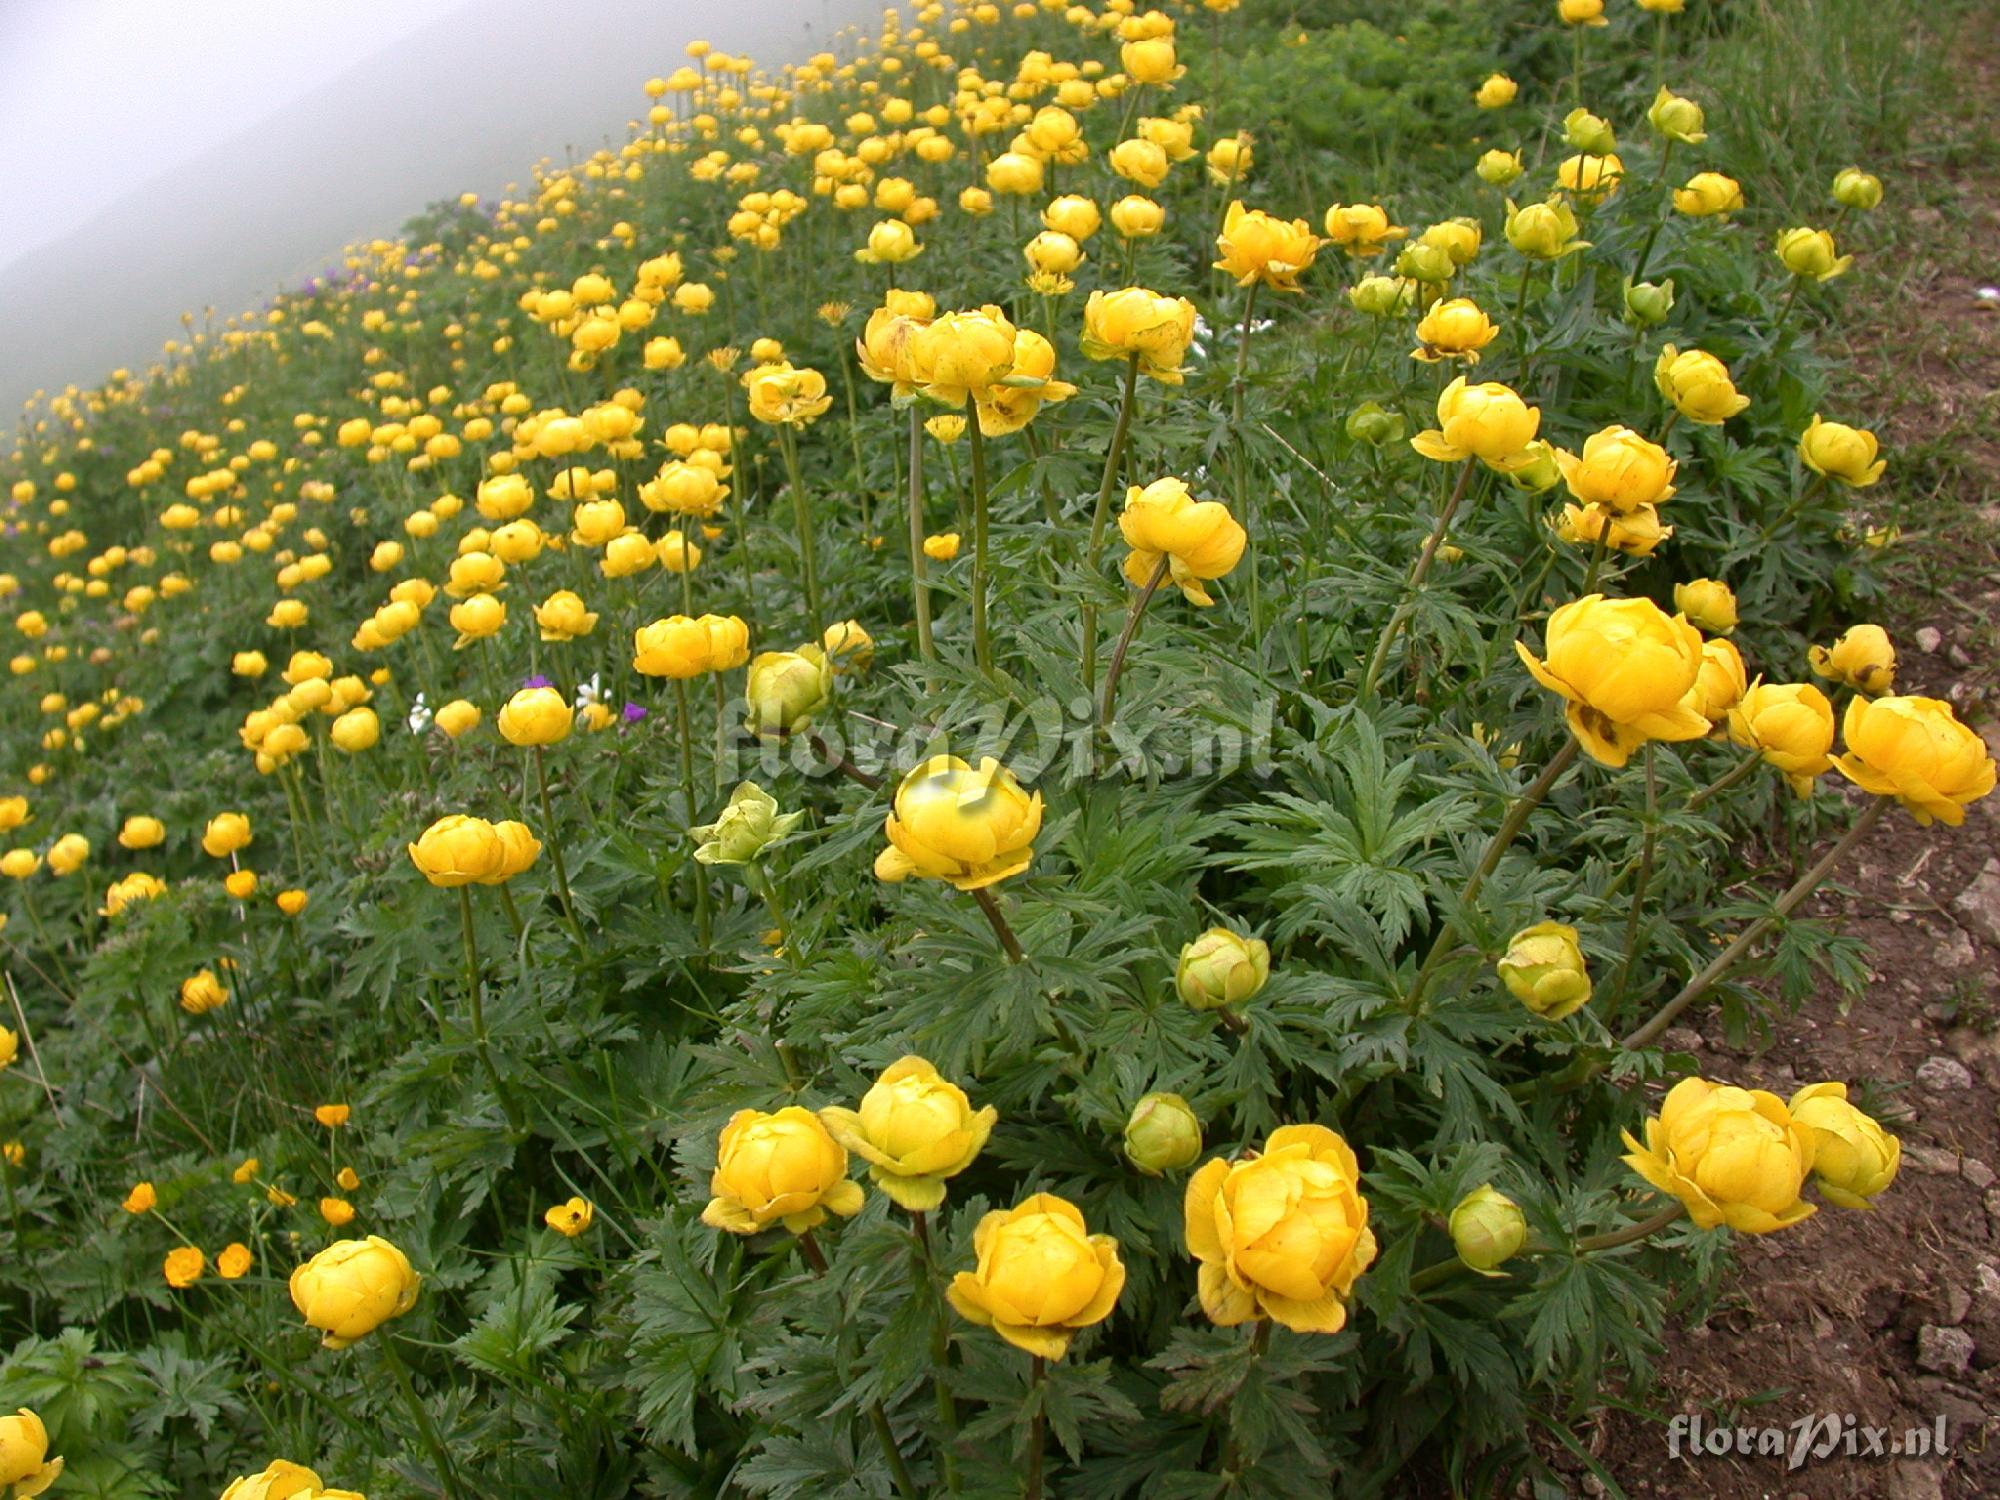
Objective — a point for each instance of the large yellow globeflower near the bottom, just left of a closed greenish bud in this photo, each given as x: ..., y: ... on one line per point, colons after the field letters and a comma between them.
x: 1281, y: 1235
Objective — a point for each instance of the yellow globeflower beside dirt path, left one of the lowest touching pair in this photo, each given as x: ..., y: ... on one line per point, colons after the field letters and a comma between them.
x: 1731, y: 1155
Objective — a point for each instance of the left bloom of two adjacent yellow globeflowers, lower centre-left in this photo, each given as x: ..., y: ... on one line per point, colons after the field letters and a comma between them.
x: 779, y: 1169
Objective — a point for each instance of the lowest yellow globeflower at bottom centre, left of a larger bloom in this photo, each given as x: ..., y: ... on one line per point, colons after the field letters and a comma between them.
x: 1041, y: 1277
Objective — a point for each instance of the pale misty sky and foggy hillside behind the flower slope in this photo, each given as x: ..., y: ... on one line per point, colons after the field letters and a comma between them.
x: 165, y: 157
